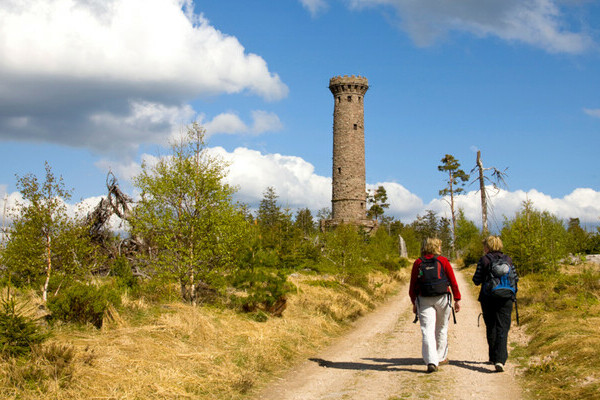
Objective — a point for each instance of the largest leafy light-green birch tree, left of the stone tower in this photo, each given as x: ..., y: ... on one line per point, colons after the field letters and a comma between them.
x: 187, y: 217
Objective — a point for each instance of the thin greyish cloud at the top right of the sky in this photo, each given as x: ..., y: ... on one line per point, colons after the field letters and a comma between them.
x: 535, y: 22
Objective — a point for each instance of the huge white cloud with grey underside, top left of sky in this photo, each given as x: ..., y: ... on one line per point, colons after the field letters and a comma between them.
x: 113, y: 74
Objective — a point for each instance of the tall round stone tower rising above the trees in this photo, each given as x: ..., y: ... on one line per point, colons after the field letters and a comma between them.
x: 348, y: 200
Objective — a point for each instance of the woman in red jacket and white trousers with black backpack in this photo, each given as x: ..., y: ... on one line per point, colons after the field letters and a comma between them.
x: 431, y: 279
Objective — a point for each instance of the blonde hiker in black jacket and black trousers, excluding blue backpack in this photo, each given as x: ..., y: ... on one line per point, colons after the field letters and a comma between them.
x: 496, y: 310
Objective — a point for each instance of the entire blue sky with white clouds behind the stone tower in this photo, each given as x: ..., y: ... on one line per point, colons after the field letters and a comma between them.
x: 93, y: 85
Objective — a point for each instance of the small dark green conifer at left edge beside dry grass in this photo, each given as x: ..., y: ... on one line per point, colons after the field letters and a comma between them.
x: 18, y: 331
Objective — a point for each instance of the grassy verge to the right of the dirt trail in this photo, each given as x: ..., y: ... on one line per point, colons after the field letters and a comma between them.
x: 560, y: 316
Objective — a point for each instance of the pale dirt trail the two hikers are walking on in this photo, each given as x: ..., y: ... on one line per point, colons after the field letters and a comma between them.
x: 381, y: 359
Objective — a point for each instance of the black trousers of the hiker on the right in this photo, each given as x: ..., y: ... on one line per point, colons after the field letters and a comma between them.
x: 497, y: 317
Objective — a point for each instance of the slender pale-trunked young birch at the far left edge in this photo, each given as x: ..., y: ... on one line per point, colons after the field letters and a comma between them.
x: 43, y: 240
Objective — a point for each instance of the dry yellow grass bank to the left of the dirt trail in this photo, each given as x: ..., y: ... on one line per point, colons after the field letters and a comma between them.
x: 185, y: 352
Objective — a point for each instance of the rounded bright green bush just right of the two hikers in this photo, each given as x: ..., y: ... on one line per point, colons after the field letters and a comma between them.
x: 535, y: 240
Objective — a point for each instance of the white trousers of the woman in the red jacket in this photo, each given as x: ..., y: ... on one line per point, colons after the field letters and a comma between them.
x: 434, y: 314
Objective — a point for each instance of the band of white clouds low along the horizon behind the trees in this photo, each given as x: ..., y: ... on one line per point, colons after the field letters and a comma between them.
x: 298, y: 186
